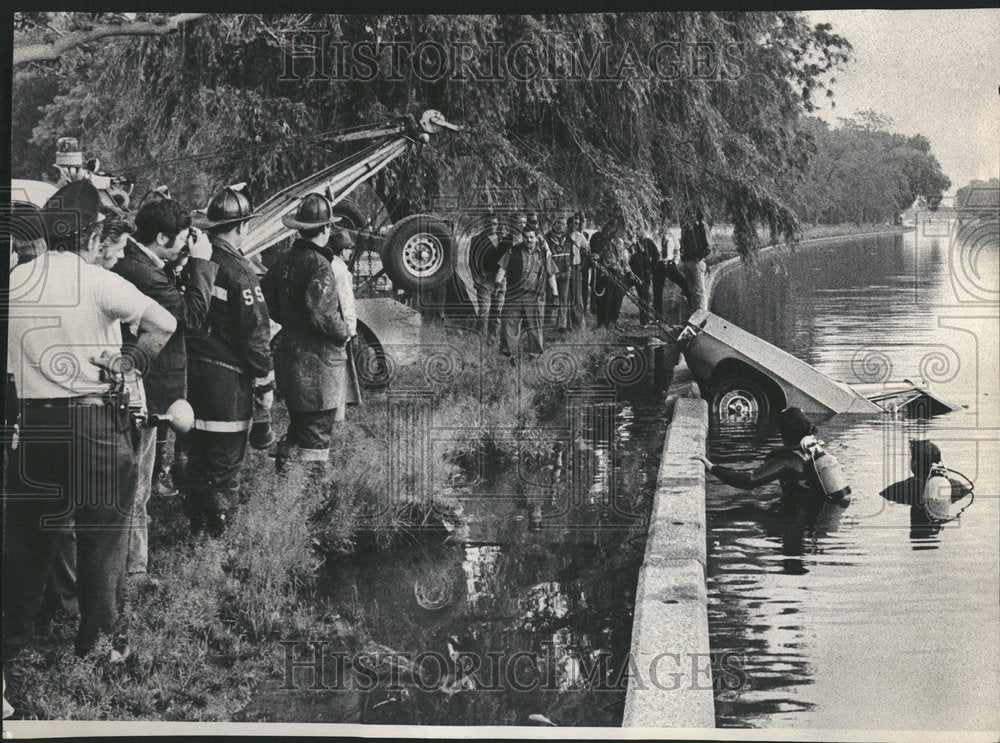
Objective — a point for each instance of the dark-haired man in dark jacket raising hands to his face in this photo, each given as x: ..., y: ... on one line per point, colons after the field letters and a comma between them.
x: 162, y: 233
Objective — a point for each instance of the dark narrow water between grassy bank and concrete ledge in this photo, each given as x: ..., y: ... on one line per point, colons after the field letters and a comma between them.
x: 533, y: 596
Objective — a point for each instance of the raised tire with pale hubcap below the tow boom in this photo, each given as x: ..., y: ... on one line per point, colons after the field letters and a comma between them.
x: 419, y: 253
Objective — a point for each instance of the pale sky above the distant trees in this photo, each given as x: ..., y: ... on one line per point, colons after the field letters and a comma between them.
x: 935, y: 72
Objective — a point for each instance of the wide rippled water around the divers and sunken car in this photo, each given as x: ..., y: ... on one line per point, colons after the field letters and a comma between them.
x: 870, y: 616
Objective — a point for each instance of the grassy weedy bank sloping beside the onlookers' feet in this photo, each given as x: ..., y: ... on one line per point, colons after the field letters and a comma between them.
x: 209, y: 634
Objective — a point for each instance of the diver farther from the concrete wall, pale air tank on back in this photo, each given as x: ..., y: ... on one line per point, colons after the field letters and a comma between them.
x: 931, y: 491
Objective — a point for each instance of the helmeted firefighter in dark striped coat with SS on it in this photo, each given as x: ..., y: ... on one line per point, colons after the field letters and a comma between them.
x: 229, y: 364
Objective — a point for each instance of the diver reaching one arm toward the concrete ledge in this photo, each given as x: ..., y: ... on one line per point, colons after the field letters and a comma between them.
x: 800, y: 465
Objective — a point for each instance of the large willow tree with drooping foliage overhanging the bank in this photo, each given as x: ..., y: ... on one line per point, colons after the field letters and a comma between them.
x: 634, y: 117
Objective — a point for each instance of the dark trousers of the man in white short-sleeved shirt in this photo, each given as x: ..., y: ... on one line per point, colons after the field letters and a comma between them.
x: 73, y: 463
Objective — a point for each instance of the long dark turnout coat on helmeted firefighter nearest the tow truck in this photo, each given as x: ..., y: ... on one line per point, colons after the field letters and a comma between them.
x: 310, y: 353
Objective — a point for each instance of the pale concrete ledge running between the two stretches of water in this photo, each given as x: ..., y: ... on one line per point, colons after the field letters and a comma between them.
x: 671, y: 680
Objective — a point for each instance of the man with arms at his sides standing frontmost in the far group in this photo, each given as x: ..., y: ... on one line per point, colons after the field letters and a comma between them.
x: 528, y: 270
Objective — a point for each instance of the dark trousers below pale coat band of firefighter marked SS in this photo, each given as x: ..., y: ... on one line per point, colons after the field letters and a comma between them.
x: 215, y: 461
